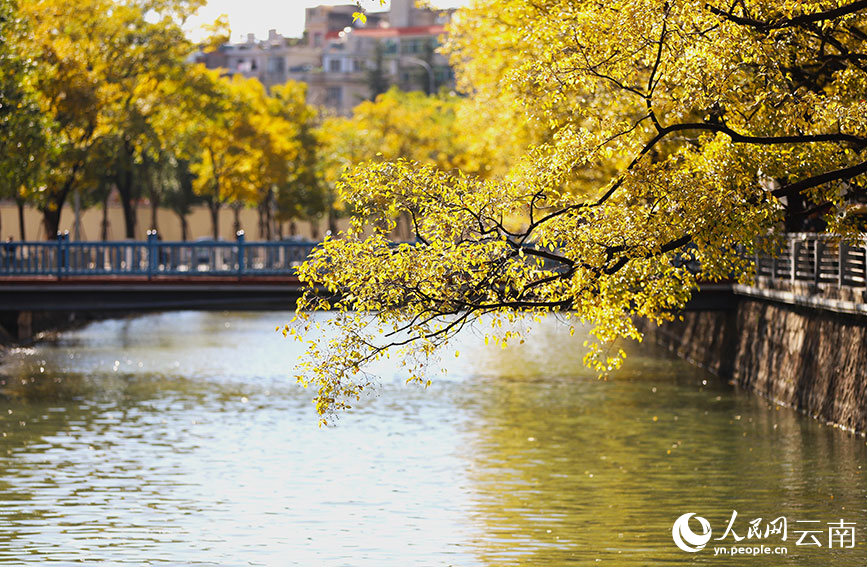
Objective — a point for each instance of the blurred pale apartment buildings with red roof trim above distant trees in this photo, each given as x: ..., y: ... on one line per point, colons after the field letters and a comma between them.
x: 344, y: 62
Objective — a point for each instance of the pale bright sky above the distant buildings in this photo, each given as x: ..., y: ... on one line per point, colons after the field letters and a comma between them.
x: 258, y: 16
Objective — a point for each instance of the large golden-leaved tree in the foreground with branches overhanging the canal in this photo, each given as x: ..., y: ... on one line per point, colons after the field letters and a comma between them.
x: 668, y: 129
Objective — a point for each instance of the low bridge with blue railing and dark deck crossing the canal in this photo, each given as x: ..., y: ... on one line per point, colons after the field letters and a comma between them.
x: 63, y: 275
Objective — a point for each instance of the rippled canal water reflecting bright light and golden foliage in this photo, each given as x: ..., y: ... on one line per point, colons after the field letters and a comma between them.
x: 181, y: 439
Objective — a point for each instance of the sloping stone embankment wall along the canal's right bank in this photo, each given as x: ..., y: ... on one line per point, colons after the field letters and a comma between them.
x: 812, y: 358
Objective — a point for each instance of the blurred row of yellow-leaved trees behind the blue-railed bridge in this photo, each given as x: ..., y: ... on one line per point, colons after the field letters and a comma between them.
x: 99, y: 97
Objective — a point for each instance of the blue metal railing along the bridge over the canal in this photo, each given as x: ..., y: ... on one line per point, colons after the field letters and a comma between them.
x: 152, y: 257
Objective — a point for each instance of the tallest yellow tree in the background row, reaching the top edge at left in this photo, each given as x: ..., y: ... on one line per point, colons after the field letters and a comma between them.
x: 96, y: 61
